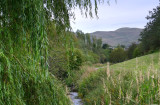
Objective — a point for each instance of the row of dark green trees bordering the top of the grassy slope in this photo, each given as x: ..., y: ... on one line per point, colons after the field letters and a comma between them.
x: 148, y: 43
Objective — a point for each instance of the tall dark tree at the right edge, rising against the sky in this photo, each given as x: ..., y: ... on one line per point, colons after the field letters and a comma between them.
x: 150, y: 37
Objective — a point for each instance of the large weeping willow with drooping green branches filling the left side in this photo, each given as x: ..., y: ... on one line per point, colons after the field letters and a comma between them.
x: 24, y: 78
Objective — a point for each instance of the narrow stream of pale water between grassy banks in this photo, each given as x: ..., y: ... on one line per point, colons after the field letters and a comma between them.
x: 75, y: 99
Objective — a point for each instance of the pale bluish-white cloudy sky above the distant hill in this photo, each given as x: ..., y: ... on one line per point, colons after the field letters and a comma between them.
x: 124, y: 13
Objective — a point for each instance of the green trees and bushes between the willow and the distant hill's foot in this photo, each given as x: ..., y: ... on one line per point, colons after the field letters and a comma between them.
x: 68, y: 51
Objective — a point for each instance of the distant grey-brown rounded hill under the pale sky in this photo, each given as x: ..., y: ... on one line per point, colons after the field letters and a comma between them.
x: 124, y: 36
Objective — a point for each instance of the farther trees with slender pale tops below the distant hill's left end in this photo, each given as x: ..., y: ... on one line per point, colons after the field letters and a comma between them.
x: 91, y: 45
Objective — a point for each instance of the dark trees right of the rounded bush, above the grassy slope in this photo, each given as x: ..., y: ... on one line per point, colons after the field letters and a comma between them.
x: 150, y: 36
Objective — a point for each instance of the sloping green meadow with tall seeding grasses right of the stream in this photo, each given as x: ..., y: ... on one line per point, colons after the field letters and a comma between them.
x: 134, y: 81
